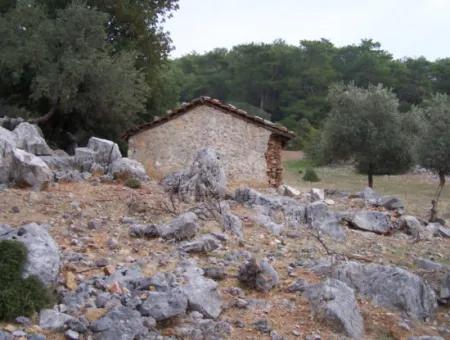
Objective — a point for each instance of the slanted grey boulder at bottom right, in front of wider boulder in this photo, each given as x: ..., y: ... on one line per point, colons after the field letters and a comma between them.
x: 334, y: 303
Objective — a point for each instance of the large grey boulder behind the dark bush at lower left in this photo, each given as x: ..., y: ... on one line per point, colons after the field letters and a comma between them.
x: 43, y: 258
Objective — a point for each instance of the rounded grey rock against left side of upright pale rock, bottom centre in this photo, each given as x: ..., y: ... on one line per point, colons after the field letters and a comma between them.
x: 165, y: 305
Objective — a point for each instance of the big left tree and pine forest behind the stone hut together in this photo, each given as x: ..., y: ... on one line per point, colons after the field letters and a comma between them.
x: 98, y: 67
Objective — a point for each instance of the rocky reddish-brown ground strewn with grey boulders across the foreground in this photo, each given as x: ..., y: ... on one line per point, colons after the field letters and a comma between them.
x: 191, y: 258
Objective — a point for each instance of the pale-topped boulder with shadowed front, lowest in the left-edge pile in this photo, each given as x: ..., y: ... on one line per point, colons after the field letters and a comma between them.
x: 29, y: 170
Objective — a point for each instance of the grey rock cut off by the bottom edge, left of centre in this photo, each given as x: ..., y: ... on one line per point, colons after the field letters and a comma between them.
x: 125, y: 323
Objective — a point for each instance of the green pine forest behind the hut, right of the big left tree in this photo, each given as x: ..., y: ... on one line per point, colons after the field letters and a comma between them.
x: 289, y: 84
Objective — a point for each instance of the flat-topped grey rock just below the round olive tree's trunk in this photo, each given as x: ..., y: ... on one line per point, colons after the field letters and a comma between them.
x: 374, y: 221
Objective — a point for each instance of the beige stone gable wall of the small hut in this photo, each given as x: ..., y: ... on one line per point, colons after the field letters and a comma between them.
x: 171, y: 146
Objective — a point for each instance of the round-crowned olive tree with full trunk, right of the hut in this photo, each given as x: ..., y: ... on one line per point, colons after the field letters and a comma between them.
x: 364, y: 125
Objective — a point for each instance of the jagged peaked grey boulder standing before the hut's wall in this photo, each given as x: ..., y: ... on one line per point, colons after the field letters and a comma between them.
x: 205, y: 178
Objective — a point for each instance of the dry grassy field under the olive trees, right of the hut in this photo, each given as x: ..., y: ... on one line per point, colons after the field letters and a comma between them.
x: 416, y: 191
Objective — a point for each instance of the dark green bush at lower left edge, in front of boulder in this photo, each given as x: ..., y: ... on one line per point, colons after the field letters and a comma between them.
x: 18, y: 296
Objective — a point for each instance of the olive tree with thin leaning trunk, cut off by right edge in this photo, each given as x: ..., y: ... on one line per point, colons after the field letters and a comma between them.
x: 434, y: 142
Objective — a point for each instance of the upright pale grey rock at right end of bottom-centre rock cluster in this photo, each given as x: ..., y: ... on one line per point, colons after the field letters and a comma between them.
x: 201, y: 292
